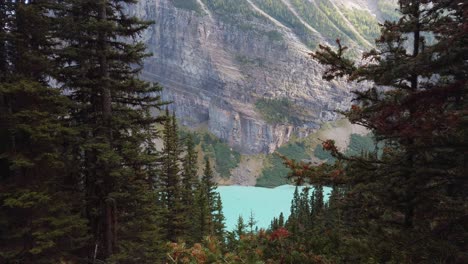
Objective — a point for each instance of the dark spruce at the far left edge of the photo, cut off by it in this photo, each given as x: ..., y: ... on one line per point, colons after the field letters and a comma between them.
x: 39, y: 203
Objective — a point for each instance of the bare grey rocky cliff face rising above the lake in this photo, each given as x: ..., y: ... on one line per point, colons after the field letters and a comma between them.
x: 216, y: 58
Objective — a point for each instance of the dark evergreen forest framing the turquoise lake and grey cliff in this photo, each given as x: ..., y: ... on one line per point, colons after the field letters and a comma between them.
x: 82, y: 179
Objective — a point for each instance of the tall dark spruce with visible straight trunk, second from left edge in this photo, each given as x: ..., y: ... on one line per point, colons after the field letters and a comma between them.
x: 99, y: 61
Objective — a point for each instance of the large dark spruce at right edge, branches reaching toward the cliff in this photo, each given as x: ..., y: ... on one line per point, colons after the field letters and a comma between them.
x: 415, y: 190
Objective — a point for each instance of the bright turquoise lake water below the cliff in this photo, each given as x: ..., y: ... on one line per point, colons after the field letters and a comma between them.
x: 265, y: 203
